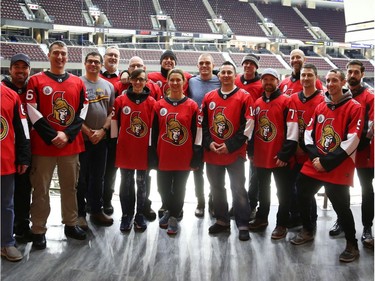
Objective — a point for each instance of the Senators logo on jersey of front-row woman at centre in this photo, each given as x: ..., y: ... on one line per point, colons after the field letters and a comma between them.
x: 175, y: 132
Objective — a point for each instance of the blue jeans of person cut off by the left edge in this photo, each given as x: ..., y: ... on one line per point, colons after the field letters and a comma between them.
x: 7, y: 213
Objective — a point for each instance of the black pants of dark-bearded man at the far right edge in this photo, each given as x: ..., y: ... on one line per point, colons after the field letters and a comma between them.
x: 366, y: 175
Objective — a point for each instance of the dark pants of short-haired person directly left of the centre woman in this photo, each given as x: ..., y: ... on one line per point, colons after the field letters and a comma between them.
x: 127, y: 191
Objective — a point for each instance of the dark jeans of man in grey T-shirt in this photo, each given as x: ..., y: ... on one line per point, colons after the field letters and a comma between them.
x: 91, y: 177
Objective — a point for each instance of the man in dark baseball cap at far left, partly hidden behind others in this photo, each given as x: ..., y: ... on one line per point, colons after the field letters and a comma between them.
x: 19, y: 72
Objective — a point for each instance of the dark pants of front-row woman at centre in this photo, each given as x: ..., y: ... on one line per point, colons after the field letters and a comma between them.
x: 172, y: 187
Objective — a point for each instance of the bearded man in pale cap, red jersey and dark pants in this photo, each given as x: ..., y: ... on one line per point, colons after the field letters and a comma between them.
x: 275, y: 142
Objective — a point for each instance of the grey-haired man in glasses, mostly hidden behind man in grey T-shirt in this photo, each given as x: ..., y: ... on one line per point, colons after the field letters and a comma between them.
x: 111, y: 73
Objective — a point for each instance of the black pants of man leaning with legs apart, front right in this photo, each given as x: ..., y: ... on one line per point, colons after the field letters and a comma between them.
x: 339, y: 196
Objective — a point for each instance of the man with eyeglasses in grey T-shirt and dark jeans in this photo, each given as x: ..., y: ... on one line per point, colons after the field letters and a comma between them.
x: 101, y: 96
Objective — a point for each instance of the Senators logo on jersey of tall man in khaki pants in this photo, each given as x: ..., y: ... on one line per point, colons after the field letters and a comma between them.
x: 63, y: 113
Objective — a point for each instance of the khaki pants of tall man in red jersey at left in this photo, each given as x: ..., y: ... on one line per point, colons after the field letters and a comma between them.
x: 40, y: 177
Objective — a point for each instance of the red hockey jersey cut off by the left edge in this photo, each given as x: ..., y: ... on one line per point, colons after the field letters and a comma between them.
x: 14, y: 137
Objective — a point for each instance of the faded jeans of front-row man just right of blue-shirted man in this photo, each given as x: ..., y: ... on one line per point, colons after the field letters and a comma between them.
x: 241, y: 207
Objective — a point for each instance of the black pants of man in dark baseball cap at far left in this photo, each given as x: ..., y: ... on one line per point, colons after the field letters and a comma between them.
x: 22, y: 198
